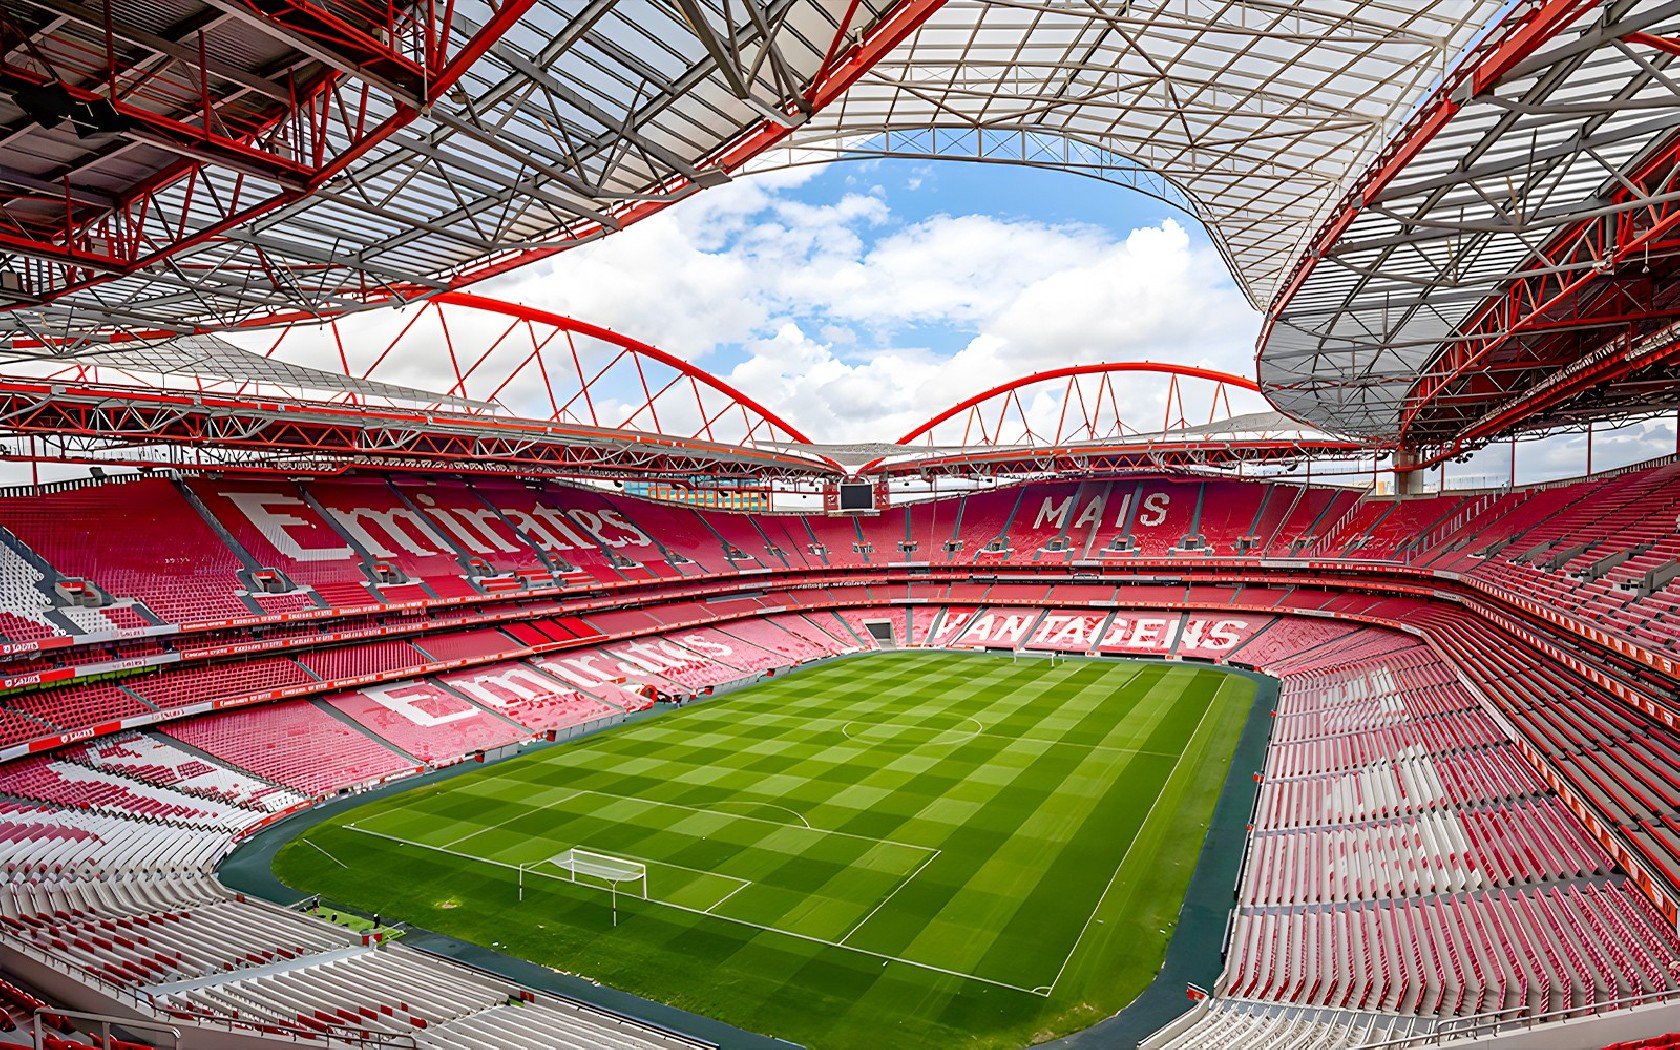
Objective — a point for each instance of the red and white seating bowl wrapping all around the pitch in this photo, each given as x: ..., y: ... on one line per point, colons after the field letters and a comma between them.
x: 1400, y: 794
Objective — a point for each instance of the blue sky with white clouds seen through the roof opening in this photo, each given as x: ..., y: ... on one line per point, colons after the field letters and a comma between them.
x: 861, y: 298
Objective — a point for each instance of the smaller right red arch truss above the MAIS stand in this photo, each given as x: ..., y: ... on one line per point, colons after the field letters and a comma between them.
x: 1105, y: 417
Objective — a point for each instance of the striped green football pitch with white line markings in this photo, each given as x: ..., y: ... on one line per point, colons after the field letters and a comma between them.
x: 908, y: 851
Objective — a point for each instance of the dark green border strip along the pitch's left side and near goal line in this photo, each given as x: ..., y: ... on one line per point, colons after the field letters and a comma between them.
x: 249, y: 869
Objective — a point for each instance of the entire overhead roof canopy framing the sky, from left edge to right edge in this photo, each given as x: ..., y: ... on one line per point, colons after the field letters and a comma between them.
x: 1395, y: 181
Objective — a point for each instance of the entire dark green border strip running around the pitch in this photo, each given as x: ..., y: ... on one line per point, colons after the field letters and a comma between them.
x: 1194, y: 953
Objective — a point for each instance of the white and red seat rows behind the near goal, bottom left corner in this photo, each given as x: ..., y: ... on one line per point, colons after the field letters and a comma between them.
x: 132, y: 908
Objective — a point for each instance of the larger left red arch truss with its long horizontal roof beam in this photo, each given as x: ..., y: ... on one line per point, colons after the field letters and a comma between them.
x: 527, y: 392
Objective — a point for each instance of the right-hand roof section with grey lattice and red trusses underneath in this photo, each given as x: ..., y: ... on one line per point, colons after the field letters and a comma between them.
x: 1509, y: 261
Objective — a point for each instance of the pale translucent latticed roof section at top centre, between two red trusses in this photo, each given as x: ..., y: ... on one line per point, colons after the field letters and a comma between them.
x: 1252, y: 115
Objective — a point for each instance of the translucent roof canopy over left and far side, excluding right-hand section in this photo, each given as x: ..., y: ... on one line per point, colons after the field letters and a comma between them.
x: 207, y: 164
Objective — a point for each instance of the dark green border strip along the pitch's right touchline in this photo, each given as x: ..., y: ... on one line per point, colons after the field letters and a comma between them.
x: 1195, y: 953
